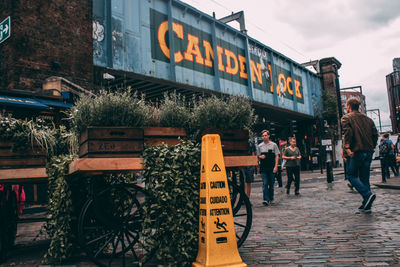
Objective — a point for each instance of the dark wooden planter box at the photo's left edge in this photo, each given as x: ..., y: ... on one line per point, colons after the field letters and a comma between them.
x: 35, y: 157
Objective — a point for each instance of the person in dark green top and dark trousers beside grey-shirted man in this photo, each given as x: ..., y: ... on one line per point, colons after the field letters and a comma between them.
x: 292, y: 156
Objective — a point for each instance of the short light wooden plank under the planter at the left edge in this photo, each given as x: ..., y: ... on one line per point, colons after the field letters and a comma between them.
x: 23, y: 175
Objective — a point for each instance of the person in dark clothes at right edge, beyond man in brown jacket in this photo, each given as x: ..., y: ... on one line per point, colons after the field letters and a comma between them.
x: 387, y: 157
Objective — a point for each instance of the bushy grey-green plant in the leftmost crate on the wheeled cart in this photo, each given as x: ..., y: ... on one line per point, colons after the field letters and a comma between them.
x: 110, y: 109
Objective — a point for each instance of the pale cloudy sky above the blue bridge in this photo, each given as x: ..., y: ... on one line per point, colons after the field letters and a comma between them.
x: 364, y: 35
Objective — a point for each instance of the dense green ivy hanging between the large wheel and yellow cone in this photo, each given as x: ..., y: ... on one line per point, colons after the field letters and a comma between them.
x: 172, y: 178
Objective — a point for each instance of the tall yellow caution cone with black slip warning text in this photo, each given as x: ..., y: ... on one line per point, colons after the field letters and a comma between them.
x: 217, y: 237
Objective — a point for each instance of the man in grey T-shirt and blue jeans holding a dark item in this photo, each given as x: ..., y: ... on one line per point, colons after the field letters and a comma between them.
x: 268, y: 154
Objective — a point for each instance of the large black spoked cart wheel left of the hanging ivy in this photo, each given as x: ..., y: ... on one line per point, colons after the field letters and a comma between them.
x: 110, y: 226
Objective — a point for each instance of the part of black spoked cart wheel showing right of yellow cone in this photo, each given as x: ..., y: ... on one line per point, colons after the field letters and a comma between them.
x: 242, y: 213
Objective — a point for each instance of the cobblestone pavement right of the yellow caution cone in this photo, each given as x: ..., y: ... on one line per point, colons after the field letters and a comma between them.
x: 320, y: 227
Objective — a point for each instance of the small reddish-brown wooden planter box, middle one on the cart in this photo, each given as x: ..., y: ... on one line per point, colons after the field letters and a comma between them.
x: 157, y: 135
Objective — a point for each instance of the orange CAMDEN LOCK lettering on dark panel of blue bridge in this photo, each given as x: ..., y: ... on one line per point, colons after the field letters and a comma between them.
x: 194, y: 50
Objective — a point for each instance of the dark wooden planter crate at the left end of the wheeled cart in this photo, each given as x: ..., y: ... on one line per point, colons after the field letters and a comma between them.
x: 111, y: 142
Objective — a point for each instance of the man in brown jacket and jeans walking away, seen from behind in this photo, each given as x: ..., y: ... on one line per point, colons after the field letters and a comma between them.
x: 360, y: 137
